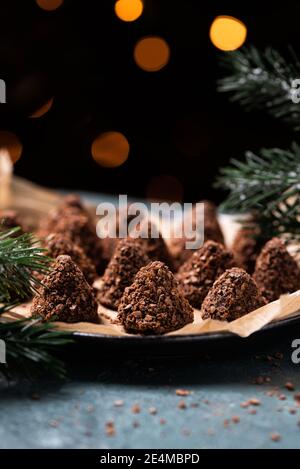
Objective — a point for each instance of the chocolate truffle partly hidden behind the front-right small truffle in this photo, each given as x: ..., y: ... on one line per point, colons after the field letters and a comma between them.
x: 197, y: 275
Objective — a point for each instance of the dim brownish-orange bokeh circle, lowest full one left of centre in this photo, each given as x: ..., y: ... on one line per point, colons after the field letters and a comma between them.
x: 110, y: 149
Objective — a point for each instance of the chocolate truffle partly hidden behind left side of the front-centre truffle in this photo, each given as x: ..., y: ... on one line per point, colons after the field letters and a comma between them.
x: 128, y: 258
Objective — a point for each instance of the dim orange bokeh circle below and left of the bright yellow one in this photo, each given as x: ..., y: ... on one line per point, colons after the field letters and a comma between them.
x: 152, y: 53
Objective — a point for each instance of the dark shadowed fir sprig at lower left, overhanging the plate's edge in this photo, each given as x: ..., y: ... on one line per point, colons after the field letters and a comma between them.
x: 30, y: 345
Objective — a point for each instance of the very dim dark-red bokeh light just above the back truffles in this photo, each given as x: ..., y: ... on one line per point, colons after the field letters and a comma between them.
x: 164, y: 187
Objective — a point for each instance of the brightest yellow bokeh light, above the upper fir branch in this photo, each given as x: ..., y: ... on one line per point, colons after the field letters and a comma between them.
x: 227, y: 33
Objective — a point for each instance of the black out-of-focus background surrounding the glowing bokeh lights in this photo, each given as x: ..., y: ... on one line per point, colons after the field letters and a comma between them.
x: 175, y: 121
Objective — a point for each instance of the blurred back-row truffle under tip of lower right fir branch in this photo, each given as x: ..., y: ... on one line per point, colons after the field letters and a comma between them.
x: 246, y: 248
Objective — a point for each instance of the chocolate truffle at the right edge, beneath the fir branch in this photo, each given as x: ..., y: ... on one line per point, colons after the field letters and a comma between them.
x: 276, y: 271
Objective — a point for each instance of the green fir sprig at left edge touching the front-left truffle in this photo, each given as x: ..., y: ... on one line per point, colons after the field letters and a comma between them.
x: 20, y: 257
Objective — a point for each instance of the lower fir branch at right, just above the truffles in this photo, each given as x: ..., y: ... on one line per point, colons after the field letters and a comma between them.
x: 268, y: 185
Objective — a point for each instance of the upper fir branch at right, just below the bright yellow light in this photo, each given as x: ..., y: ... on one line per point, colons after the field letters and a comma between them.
x: 263, y: 80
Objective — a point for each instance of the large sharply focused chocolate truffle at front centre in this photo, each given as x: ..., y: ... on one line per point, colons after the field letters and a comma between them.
x: 153, y: 304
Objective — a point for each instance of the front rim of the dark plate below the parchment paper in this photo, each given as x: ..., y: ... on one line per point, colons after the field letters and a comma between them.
x: 181, y: 345
